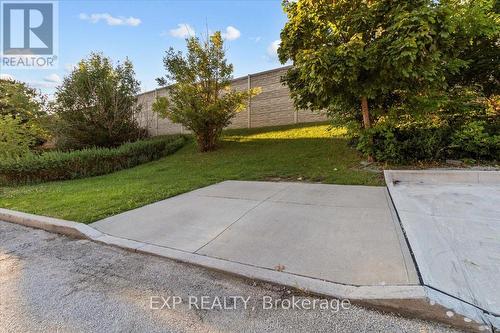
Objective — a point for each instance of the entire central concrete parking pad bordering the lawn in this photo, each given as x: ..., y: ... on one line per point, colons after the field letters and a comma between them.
x: 344, y: 234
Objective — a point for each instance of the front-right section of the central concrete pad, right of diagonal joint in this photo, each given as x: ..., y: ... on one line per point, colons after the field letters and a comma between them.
x: 336, y: 244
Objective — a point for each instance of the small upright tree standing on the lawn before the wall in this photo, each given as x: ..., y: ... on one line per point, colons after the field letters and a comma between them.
x: 200, y: 97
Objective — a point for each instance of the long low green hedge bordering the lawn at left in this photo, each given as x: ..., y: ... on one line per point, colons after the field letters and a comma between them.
x: 83, y: 163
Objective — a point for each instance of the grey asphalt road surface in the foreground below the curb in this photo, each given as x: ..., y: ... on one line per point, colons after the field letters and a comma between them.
x: 50, y: 283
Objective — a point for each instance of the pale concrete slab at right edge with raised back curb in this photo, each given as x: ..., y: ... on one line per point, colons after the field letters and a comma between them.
x: 454, y: 231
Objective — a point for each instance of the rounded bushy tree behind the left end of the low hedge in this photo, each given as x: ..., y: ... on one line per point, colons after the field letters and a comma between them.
x: 96, y: 105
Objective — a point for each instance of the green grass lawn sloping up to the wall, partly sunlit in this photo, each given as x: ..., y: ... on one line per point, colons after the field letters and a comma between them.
x: 295, y: 153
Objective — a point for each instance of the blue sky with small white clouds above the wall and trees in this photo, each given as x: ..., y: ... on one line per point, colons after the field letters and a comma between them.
x: 143, y: 29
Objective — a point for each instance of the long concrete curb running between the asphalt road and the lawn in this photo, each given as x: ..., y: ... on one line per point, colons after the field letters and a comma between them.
x: 411, y: 300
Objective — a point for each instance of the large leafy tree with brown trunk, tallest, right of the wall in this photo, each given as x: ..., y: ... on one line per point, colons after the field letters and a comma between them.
x: 348, y: 54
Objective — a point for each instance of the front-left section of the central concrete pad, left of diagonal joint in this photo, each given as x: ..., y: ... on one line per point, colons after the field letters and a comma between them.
x: 185, y: 222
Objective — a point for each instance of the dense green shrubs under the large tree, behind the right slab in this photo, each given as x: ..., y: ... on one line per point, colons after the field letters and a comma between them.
x: 454, y: 124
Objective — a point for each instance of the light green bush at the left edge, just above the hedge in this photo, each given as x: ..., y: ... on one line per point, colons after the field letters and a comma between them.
x: 16, y: 138
